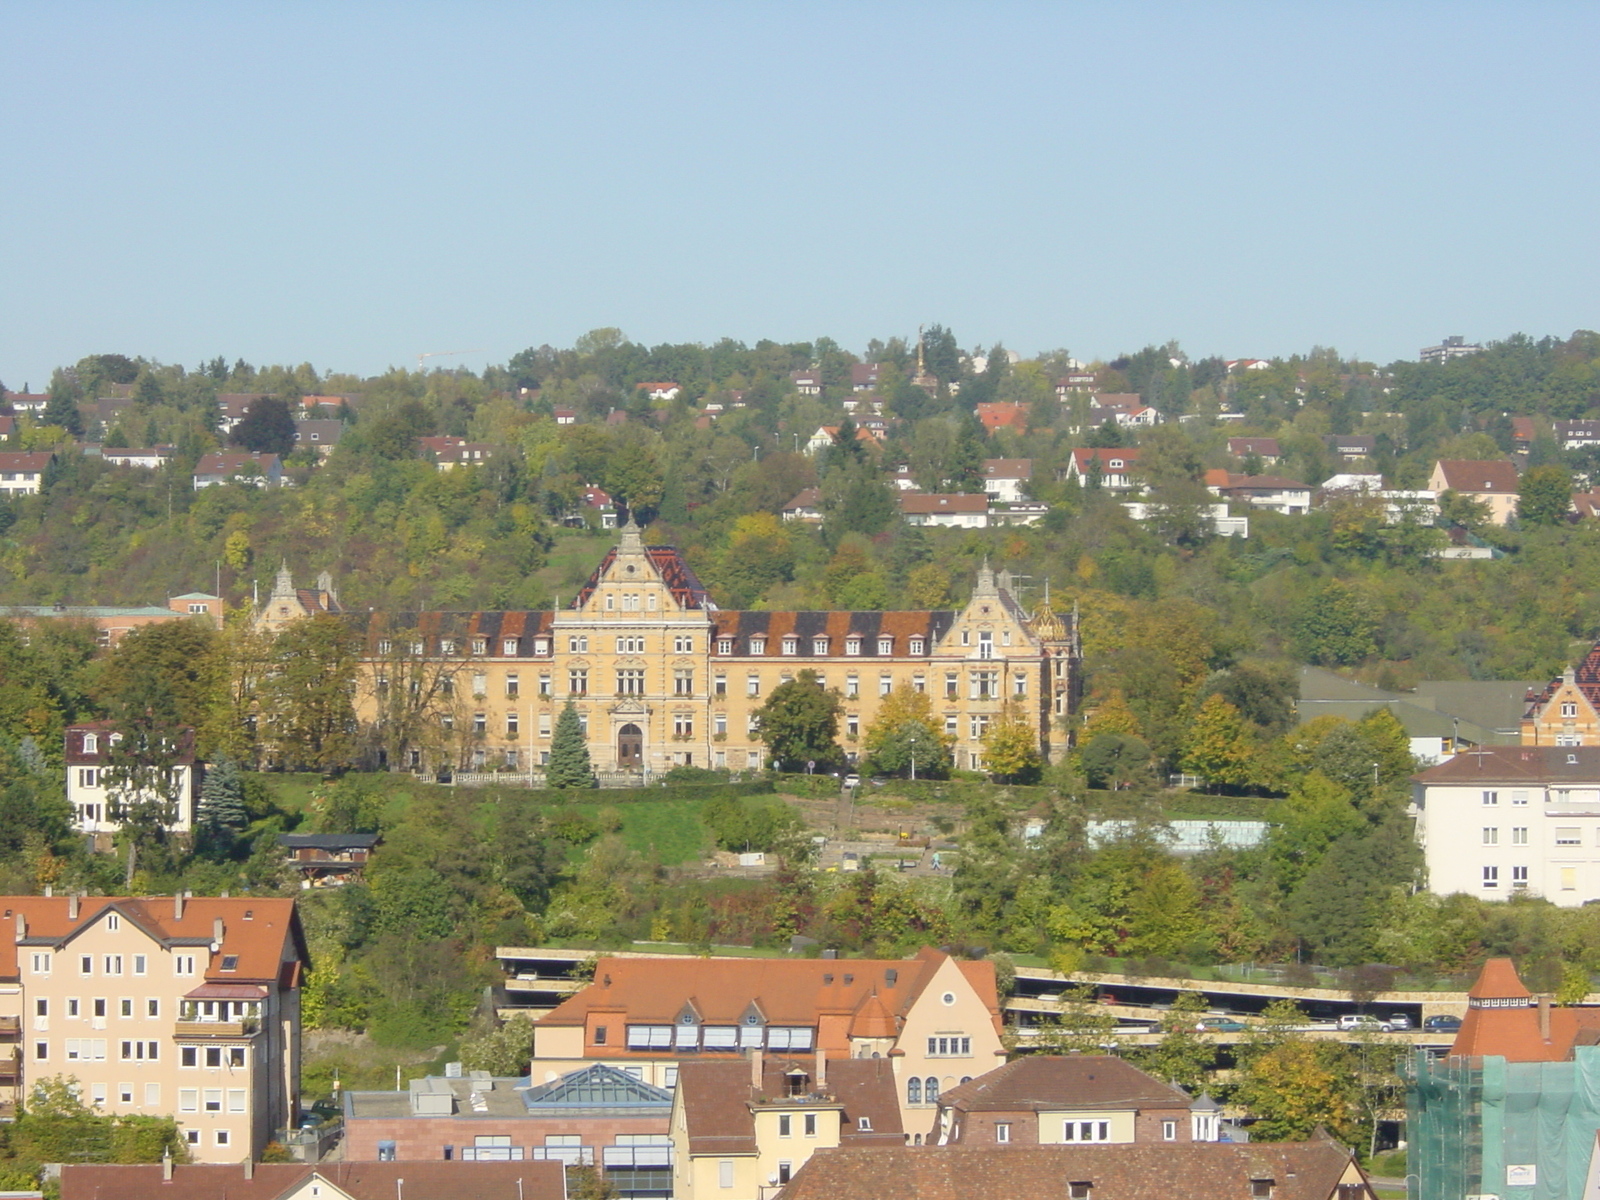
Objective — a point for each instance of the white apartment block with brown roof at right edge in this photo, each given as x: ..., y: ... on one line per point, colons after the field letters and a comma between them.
x: 1513, y: 820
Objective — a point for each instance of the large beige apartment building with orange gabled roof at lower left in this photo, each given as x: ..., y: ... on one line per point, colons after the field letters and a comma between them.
x: 161, y: 1007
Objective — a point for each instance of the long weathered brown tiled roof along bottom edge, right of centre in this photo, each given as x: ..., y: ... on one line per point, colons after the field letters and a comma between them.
x: 1313, y: 1170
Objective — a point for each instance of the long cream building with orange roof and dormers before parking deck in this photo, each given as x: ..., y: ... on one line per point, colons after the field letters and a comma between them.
x: 934, y: 1018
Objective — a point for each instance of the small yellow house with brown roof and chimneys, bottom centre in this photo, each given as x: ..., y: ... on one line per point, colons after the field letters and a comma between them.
x: 742, y: 1129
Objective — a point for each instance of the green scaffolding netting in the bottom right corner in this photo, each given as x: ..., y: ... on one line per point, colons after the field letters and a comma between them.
x: 1479, y: 1127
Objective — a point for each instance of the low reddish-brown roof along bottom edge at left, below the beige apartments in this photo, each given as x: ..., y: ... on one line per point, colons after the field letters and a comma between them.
x: 326, y: 1182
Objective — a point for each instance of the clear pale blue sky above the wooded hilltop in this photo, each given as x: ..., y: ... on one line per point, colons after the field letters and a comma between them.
x: 353, y: 185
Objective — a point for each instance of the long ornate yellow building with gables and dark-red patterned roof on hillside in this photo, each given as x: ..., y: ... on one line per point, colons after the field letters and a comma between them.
x: 662, y: 678
